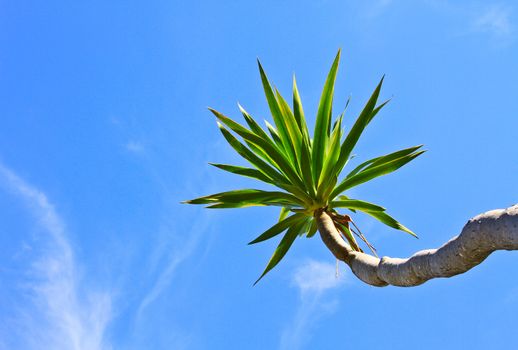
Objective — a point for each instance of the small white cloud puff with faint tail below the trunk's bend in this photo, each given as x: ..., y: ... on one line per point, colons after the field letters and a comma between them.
x: 312, y: 279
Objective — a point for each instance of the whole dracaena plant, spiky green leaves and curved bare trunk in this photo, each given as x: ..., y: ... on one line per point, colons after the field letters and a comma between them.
x: 312, y: 185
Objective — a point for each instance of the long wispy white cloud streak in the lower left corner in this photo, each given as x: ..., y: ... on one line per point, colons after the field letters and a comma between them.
x: 60, y: 313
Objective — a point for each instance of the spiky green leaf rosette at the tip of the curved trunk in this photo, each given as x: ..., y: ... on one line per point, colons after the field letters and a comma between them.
x: 306, y: 171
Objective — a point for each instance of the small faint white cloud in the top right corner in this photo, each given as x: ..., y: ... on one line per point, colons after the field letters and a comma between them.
x: 494, y: 19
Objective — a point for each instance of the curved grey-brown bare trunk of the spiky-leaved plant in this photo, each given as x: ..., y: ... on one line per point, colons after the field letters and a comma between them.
x: 482, y: 235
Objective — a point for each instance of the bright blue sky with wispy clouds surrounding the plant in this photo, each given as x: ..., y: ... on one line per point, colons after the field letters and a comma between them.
x: 104, y: 130
